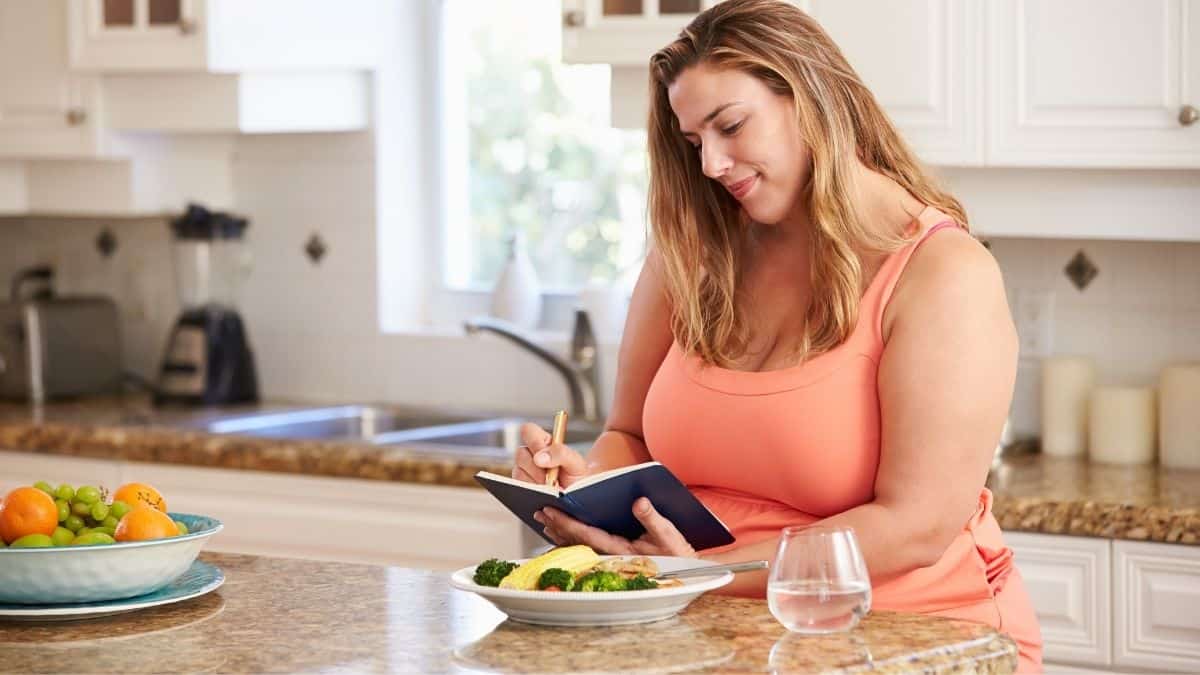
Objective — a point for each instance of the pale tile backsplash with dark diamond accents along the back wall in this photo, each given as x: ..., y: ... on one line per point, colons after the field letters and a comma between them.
x: 316, y: 332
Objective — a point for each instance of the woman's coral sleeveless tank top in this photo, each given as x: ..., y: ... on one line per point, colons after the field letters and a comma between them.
x: 767, y: 450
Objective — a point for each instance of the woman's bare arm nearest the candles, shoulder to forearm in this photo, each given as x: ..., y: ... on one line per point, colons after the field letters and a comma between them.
x: 946, y: 384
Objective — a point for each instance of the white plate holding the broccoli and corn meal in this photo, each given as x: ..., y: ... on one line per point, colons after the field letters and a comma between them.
x: 550, y: 608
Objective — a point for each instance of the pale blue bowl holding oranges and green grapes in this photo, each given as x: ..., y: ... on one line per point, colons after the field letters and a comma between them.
x: 106, y: 572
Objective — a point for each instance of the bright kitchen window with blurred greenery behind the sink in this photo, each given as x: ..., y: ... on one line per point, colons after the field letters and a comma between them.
x: 526, y: 146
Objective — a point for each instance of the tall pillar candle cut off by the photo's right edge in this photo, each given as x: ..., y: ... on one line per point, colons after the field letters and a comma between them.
x: 1179, y: 417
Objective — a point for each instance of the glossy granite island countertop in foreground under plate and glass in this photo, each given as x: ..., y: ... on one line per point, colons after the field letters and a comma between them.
x: 298, y: 616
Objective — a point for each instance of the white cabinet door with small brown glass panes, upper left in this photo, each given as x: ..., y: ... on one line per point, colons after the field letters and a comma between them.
x: 137, y: 35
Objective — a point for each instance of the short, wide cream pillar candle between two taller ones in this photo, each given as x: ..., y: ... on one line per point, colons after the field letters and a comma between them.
x: 1121, y: 426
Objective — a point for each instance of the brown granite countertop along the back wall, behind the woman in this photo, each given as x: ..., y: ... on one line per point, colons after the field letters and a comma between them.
x: 1034, y: 493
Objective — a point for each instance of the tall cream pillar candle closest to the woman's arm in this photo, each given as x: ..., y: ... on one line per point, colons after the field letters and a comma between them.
x: 1066, y: 385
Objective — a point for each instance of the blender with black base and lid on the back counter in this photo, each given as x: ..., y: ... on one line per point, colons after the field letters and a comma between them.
x: 208, y: 360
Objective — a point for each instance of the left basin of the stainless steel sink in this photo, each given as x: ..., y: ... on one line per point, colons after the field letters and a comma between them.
x: 334, y: 423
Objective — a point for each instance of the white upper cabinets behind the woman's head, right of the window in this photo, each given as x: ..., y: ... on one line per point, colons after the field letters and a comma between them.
x: 1033, y: 83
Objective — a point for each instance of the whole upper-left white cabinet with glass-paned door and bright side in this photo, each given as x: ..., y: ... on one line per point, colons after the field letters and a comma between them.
x: 223, y: 35
